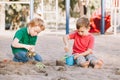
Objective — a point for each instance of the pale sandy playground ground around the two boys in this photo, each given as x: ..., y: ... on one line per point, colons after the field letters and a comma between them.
x: 50, y: 47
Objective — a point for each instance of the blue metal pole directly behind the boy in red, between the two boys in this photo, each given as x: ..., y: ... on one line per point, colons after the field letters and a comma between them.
x: 67, y: 15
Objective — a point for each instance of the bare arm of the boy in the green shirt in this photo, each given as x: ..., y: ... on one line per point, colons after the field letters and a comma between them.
x: 16, y: 44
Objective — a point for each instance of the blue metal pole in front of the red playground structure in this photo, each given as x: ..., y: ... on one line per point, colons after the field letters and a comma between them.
x: 102, y: 16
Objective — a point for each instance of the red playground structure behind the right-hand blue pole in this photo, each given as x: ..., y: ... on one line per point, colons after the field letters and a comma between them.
x: 95, y: 22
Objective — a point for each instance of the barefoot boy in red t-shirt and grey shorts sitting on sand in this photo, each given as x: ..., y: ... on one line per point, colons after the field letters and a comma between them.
x: 83, y: 45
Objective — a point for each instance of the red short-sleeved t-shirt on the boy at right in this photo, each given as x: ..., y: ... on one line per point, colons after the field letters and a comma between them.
x: 82, y: 43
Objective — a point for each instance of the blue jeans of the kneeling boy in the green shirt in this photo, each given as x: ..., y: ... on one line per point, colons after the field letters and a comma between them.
x: 22, y: 57
